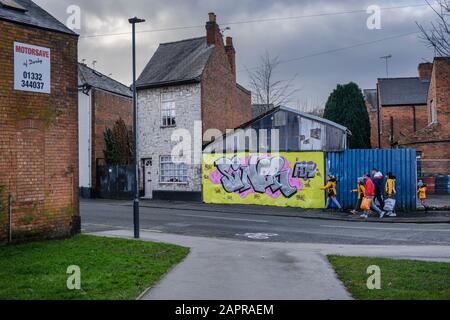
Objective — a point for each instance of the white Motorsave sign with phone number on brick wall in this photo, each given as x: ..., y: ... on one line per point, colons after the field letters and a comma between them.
x: 31, y: 68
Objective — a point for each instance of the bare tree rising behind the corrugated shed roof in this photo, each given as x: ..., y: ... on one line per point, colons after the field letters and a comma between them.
x: 267, y: 90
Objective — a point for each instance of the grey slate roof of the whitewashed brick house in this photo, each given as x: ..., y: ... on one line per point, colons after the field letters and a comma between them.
x: 176, y: 63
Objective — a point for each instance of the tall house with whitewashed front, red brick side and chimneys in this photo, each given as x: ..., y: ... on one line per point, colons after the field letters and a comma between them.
x: 188, y: 86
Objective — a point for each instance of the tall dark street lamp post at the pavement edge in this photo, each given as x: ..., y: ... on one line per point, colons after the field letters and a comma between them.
x: 133, y: 22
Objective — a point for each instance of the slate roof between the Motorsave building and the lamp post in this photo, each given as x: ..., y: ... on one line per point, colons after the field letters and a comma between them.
x: 93, y: 78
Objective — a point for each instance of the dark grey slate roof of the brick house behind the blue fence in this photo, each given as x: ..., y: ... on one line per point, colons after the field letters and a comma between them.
x: 403, y: 91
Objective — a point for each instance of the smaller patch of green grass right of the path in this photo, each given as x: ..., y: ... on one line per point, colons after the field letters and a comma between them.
x: 400, y: 279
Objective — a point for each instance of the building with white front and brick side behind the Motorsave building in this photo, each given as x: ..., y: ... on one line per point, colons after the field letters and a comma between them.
x: 102, y: 101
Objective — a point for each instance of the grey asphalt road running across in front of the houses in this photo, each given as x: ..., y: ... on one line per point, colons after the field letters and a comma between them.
x: 101, y: 215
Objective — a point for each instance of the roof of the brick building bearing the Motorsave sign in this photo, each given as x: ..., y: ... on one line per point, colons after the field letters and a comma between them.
x: 28, y: 13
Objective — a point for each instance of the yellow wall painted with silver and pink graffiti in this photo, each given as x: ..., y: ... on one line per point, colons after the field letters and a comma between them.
x: 290, y: 179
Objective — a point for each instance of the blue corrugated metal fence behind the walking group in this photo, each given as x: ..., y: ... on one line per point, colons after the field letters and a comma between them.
x: 347, y: 166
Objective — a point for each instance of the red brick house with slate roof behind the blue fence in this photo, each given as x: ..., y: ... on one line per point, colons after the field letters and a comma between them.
x: 415, y: 113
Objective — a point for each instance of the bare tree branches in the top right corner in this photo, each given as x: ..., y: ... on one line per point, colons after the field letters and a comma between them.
x: 439, y: 35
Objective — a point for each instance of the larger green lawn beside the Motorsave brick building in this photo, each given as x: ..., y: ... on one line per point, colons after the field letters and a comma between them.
x: 110, y: 268
